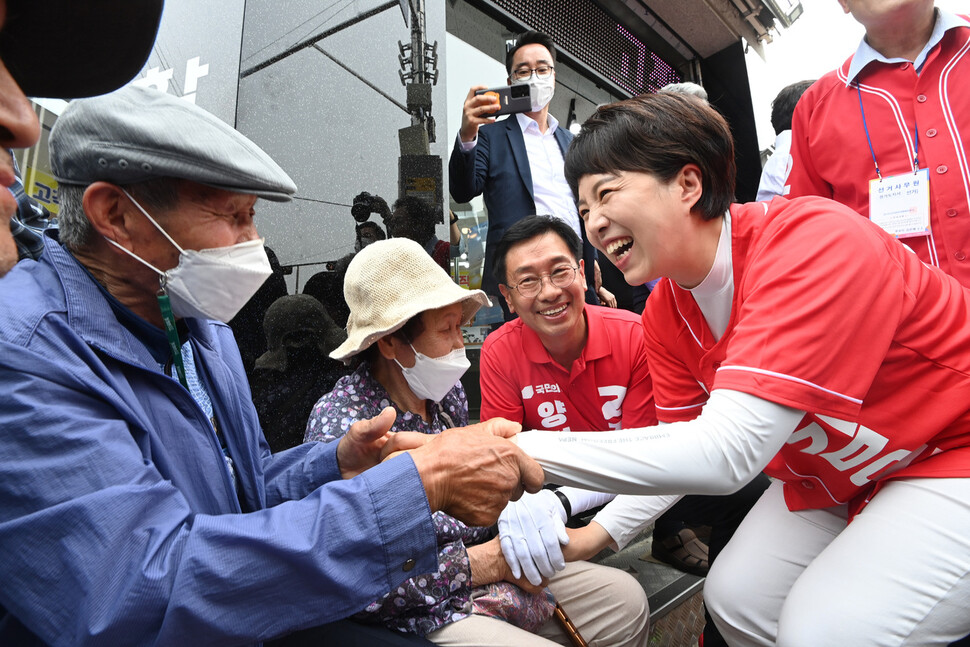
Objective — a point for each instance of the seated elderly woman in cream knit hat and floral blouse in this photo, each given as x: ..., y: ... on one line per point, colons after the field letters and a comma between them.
x: 405, y: 328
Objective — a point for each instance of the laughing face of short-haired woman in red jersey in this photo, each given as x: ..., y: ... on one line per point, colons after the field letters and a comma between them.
x: 637, y: 221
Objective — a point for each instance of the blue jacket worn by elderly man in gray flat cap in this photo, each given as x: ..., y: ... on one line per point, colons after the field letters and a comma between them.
x: 119, y: 524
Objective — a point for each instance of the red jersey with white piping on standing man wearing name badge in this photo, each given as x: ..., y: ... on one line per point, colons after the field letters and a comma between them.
x: 831, y: 156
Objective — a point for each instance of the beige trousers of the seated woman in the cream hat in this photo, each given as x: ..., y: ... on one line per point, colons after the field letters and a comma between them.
x: 607, y: 605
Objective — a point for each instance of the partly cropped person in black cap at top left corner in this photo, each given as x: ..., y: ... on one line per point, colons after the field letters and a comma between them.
x: 88, y: 48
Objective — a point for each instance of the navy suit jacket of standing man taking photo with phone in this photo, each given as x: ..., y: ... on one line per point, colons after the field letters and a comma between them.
x: 498, y: 166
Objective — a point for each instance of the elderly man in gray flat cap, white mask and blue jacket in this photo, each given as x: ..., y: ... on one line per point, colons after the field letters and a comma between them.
x: 141, y: 503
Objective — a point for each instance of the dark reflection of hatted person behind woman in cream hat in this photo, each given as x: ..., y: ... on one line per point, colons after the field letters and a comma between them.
x: 296, y: 369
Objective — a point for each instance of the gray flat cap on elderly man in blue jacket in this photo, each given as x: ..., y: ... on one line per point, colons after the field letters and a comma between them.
x: 138, y: 134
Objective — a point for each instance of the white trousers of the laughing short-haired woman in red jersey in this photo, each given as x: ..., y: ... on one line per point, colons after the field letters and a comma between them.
x: 897, y: 575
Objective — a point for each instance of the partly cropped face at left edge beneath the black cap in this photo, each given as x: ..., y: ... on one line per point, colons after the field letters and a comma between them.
x: 19, y: 128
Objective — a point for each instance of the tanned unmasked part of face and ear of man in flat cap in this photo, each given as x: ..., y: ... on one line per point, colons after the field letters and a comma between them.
x: 204, y: 218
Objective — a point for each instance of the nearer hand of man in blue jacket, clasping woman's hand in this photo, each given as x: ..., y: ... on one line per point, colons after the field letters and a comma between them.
x: 471, y: 473
